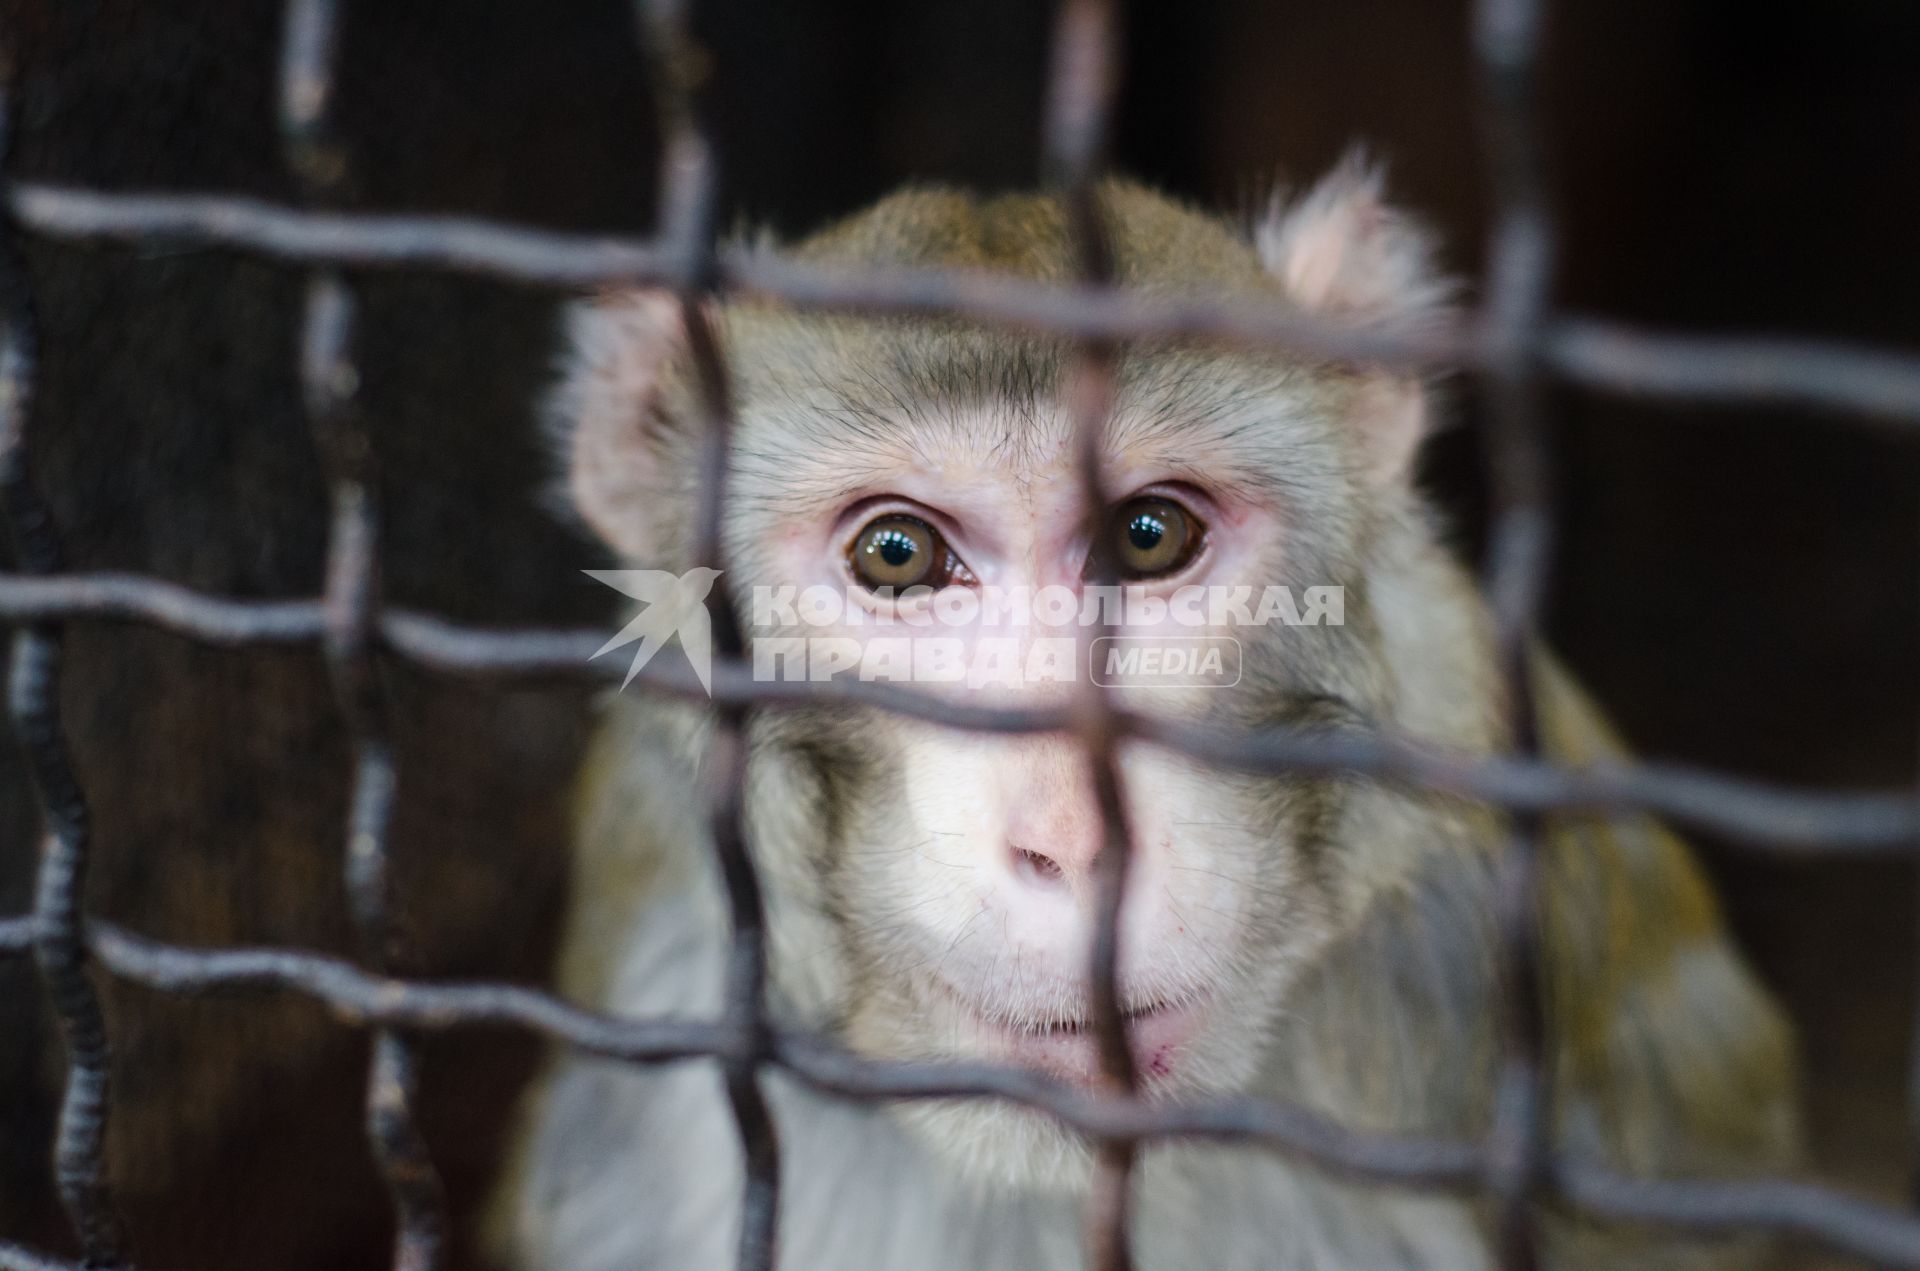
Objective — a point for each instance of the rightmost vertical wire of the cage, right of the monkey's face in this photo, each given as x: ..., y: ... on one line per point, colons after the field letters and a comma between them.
x: 1506, y: 43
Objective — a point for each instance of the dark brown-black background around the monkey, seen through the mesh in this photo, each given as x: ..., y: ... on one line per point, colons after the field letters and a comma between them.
x: 1739, y: 587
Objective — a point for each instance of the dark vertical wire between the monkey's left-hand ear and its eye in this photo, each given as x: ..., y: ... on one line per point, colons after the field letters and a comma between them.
x: 679, y: 68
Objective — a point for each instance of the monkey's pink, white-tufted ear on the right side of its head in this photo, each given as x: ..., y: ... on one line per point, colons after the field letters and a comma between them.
x: 1345, y: 252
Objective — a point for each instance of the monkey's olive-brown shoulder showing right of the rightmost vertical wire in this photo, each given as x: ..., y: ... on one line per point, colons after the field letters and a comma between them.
x: 1671, y: 1049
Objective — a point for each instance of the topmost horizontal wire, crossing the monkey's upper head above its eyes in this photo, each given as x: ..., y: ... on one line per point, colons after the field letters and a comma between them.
x: 1871, y: 385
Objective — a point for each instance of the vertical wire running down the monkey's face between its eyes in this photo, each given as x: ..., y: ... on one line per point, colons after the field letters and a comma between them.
x: 1080, y: 103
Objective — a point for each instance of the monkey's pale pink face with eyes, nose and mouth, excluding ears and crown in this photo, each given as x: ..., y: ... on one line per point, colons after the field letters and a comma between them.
x: 938, y: 888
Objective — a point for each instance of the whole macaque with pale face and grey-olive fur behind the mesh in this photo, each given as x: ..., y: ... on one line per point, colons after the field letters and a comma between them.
x: 1322, y: 942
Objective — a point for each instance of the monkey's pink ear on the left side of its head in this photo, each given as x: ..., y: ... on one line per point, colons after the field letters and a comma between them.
x: 606, y: 412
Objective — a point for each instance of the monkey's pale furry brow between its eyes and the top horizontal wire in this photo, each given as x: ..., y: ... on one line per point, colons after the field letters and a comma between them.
x: 823, y: 408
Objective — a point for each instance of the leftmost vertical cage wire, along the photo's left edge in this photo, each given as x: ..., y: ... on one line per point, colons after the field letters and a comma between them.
x: 34, y: 704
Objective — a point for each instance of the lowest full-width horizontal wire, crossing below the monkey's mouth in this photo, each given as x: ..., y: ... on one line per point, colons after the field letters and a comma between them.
x: 1831, y: 1218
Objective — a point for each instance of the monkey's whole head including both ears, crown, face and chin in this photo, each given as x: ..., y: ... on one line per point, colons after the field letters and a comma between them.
x: 896, y: 489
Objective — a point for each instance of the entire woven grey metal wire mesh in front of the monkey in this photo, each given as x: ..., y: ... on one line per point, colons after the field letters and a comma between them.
x: 1516, y: 343
